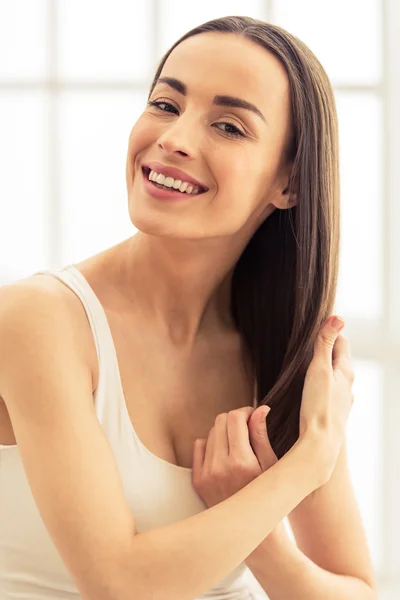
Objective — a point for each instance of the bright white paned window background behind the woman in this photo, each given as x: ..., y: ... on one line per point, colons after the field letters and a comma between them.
x: 74, y: 76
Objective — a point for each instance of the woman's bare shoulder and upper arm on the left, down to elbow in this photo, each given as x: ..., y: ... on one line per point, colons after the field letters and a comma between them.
x: 66, y: 455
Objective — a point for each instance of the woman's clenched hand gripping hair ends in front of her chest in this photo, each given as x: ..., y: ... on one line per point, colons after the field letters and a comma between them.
x: 236, y: 451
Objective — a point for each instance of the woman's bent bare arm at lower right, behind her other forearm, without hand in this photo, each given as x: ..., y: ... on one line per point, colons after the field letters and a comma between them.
x: 332, y: 559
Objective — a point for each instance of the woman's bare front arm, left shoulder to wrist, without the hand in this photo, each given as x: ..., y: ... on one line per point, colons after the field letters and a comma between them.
x: 46, y: 384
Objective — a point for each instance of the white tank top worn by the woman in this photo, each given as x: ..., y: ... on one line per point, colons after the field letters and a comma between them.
x: 158, y: 492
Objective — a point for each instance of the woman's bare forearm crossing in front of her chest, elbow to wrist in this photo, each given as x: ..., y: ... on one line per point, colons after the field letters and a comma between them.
x: 185, y: 559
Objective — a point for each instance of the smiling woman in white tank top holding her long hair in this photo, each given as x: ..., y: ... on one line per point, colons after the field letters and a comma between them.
x: 135, y: 383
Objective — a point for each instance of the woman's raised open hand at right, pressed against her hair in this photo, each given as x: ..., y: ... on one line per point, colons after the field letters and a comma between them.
x: 327, y: 395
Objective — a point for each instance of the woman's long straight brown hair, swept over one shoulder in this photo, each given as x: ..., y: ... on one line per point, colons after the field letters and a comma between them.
x: 284, y: 283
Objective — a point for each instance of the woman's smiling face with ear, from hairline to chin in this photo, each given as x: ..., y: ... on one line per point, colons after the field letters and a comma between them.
x: 233, y: 151
